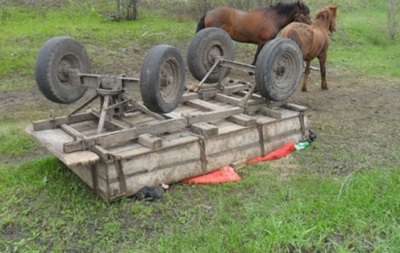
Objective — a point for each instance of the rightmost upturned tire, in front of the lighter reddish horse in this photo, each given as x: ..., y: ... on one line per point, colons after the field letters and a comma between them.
x: 278, y: 70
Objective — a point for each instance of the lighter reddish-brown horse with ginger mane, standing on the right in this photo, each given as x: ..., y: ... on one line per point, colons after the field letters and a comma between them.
x: 313, y: 40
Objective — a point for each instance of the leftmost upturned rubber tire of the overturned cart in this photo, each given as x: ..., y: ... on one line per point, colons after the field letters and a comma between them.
x: 55, y: 55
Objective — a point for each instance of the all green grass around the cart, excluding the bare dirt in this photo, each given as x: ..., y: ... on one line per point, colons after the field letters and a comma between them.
x: 46, y: 208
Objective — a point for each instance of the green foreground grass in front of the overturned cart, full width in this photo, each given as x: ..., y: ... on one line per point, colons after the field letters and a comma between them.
x: 265, y: 212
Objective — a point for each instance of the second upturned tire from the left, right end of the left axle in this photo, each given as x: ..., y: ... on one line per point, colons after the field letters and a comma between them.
x: 160, y: 94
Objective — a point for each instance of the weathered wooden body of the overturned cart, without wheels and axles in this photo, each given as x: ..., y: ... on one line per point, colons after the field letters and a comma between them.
x: 207, y: 131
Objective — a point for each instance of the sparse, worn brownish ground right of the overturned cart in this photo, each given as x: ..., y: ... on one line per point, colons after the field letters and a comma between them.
x: 356, y: 122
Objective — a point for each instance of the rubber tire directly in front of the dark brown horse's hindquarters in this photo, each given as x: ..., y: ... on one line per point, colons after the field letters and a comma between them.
x: 203, y: 48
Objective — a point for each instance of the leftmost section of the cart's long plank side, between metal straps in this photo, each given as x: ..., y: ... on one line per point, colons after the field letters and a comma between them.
x: 169, y: 165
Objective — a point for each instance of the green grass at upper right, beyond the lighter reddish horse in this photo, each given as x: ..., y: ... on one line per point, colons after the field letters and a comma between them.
x: 362, y: 44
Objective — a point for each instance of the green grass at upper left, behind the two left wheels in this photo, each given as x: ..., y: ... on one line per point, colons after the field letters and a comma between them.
x: 21, y: 40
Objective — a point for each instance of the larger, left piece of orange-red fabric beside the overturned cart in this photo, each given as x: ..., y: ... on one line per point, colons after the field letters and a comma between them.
x: 225, y: 174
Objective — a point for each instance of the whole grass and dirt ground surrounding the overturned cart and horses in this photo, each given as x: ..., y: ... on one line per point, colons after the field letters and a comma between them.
x: 341, y: 195
